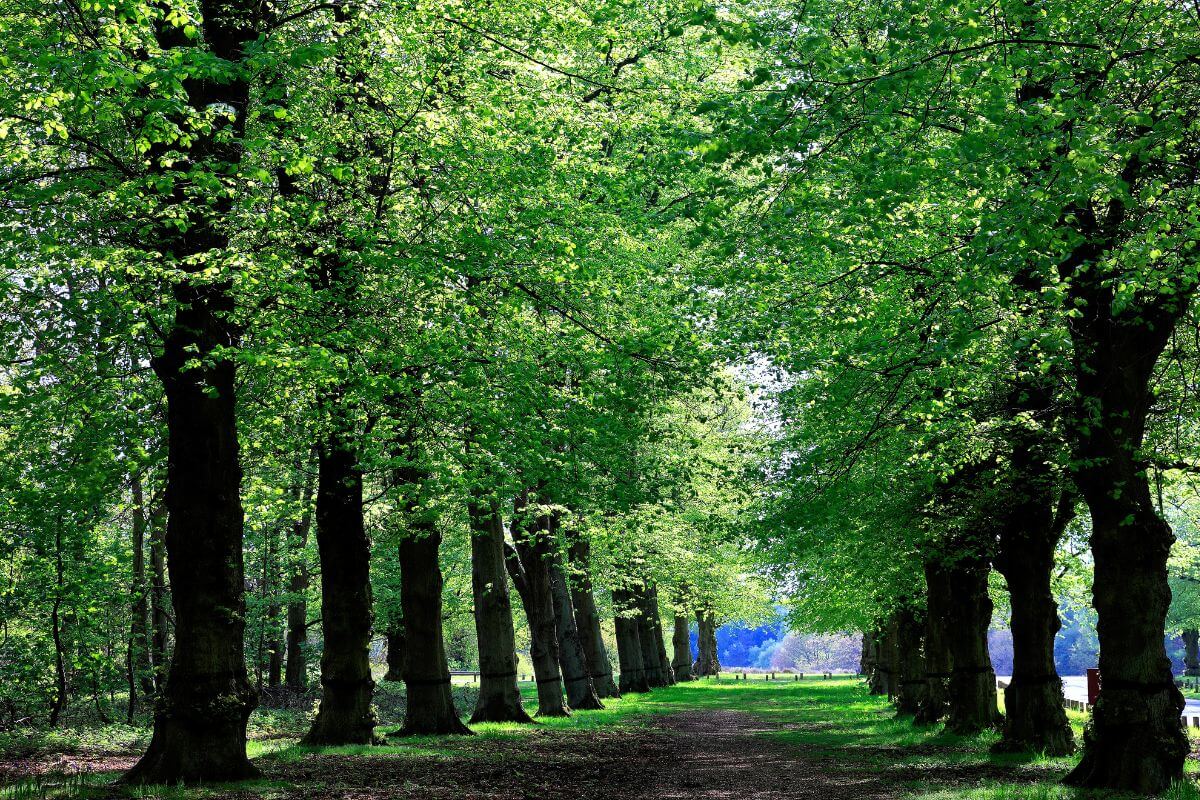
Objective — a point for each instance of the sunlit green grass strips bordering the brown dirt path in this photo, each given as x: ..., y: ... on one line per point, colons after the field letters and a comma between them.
x: 835, y: 724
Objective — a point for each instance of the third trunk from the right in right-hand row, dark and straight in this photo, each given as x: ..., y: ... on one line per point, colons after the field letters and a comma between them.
x: 973, y: 689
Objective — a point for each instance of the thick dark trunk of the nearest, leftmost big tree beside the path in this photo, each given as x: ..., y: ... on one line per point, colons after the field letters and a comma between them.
x: 200, y: 731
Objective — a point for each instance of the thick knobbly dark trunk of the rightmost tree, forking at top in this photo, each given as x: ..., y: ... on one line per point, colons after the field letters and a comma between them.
x: 1135, y: 741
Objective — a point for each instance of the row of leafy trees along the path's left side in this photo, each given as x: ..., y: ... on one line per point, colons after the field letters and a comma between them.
x: 295, y: 294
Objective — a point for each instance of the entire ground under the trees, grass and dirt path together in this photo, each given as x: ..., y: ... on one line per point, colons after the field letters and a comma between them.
x: 710, y: 741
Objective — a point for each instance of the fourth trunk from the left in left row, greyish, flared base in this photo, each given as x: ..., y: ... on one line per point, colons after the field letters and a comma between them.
x: 500, y: 699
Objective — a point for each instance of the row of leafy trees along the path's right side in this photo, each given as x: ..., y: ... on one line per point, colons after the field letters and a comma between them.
x: 981, y: 249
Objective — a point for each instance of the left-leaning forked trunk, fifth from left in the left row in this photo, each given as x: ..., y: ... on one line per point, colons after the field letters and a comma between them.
x: 529, y: 564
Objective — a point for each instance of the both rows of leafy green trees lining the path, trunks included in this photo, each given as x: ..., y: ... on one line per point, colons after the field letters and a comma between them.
x: 487, y: 264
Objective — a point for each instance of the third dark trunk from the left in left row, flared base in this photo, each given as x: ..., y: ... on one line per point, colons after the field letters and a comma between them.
x: 430, y: 703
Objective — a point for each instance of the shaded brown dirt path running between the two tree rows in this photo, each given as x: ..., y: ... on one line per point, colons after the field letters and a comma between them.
x: 700, y: 756
